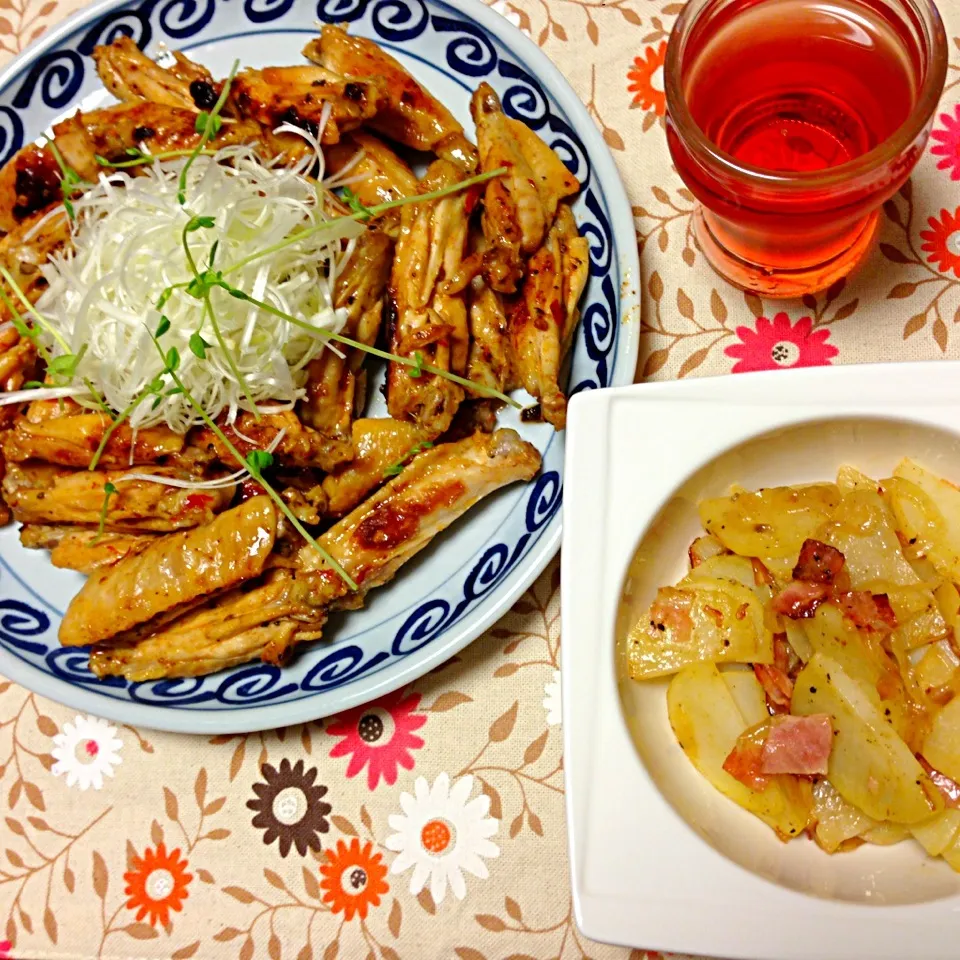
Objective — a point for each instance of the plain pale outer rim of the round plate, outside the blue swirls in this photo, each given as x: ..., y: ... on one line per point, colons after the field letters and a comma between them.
x: 267, y: 716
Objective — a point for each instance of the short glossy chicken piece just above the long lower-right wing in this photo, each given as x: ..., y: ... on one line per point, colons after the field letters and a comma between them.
x: 378, y: 445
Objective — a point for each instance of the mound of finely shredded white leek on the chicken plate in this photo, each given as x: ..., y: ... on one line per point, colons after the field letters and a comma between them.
x: 127, y: 249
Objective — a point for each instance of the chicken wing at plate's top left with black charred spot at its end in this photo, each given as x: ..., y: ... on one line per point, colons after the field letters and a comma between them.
x: 130, y: 75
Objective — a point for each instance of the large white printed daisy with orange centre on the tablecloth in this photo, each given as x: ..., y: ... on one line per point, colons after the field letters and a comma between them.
x: 440, y: 835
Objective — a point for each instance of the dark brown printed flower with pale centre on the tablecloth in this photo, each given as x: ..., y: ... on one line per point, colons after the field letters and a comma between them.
x: 289, y: 807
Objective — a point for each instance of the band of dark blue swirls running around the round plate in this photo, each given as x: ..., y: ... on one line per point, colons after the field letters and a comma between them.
x: 56, y: 79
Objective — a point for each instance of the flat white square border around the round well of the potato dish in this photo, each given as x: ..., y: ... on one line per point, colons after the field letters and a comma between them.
x: 640, y: 874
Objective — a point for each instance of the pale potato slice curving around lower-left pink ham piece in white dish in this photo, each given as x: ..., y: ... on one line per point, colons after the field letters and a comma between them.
x: 707, y: 722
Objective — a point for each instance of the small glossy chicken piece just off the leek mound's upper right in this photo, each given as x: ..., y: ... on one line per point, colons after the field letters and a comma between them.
x: 378, y: 176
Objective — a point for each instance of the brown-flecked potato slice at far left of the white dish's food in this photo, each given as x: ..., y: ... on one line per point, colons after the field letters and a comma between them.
x: 715, y: 620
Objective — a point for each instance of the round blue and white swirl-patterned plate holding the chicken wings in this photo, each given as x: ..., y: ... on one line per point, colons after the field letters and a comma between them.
x: 473, y: 573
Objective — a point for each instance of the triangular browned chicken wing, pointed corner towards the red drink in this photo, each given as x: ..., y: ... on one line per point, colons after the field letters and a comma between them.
x: 518, y: 207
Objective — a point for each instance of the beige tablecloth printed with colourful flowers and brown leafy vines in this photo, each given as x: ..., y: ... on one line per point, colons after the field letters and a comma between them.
x: 333, y: 839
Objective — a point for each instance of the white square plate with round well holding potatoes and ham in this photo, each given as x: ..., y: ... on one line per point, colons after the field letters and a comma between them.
x: 659, y: 859
